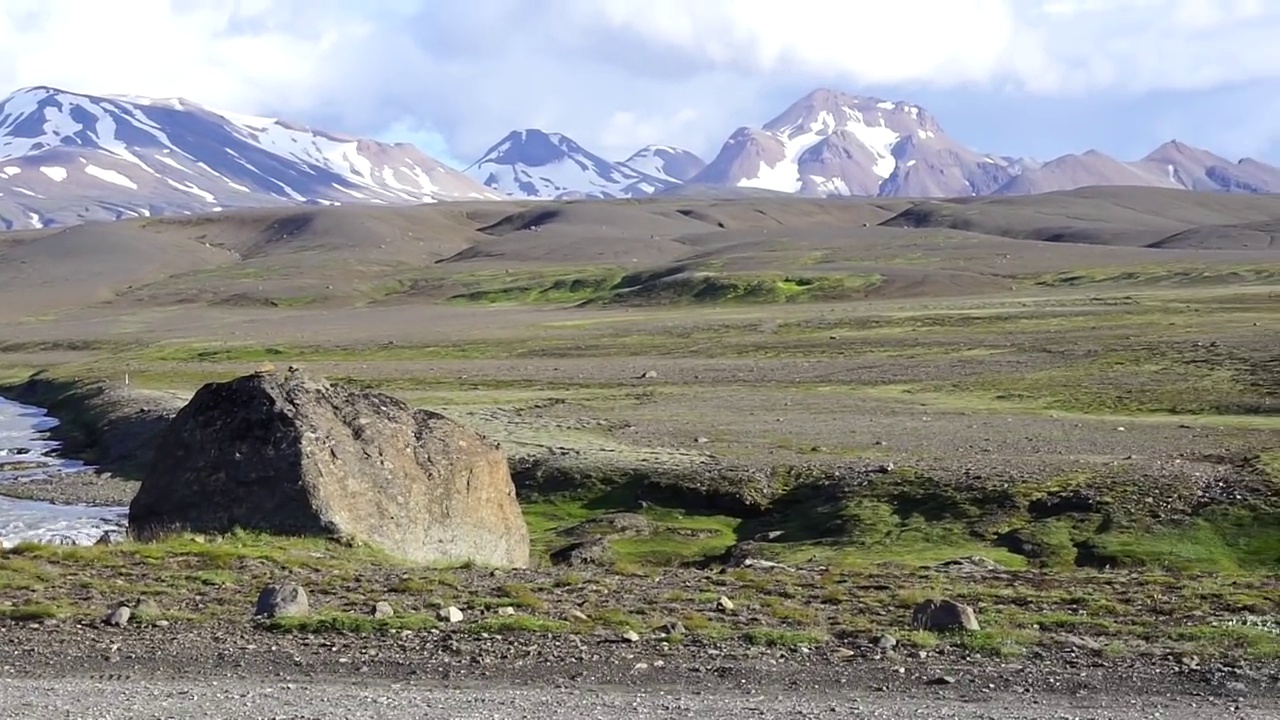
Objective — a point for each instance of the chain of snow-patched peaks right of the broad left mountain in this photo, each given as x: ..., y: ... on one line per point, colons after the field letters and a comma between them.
x: 831, y: 143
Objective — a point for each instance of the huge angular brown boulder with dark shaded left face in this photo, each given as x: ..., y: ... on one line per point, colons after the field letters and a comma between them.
x: 290, y: 454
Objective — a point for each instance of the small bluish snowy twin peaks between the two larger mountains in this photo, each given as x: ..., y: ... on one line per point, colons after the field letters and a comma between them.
x: 532, y: 163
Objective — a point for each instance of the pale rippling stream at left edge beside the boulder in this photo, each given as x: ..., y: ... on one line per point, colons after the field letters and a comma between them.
x: 26, y: 453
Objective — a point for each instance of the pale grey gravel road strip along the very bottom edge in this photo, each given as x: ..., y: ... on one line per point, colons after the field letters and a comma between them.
x: 89, y: 699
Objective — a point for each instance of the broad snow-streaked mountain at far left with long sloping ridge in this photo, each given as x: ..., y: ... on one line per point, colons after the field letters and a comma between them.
x: 67, y: 158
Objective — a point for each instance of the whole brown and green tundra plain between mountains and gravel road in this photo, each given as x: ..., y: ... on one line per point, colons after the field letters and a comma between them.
x: 1063, y: 411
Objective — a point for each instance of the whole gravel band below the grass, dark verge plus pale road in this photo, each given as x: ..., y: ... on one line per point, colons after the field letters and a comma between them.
x: 195, y: 672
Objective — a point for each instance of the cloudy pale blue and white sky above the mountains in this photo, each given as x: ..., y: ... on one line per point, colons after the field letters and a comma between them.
x: 1018, y: 78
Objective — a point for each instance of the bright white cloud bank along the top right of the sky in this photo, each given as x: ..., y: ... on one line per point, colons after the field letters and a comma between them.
x: 1059, y: 47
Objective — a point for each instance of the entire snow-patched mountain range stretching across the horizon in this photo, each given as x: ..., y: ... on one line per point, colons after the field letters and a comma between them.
x: 68, y: 158
